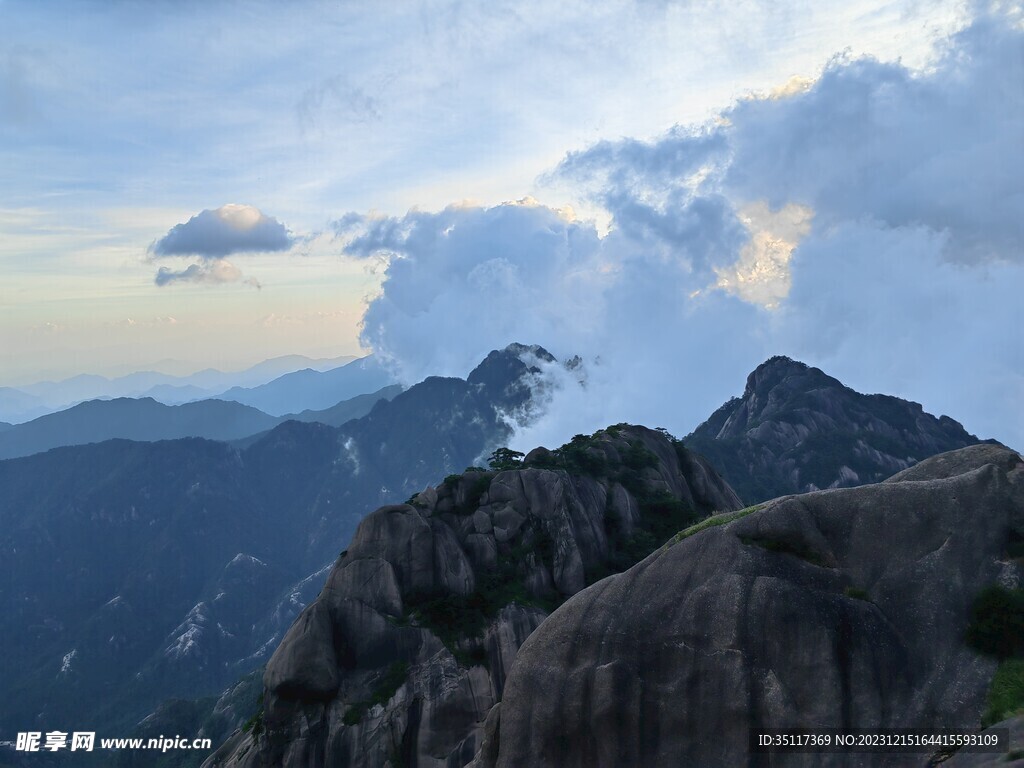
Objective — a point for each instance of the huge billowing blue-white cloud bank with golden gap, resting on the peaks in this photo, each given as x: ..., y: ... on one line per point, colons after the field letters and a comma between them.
x: 869, y: 223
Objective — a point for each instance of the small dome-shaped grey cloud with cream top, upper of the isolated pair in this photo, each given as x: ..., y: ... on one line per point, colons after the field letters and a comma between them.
x: 217, y: 234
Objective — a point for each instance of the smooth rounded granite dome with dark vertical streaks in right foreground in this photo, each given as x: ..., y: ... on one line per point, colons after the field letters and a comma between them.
x: 842, y: 609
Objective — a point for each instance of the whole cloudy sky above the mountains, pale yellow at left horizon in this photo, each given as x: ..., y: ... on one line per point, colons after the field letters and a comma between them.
x: 673, y: 191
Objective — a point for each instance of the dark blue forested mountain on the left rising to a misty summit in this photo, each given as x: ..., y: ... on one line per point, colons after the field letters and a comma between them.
x: 134, y: 573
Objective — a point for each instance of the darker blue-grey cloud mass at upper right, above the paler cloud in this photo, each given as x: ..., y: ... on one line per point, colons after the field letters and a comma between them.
x: 877, y: 142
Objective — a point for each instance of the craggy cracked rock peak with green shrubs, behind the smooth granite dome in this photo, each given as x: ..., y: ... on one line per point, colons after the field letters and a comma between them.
x: 408, y: 648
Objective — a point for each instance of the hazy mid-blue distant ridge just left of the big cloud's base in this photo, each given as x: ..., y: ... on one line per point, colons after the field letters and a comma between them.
x: 311, y: 390
